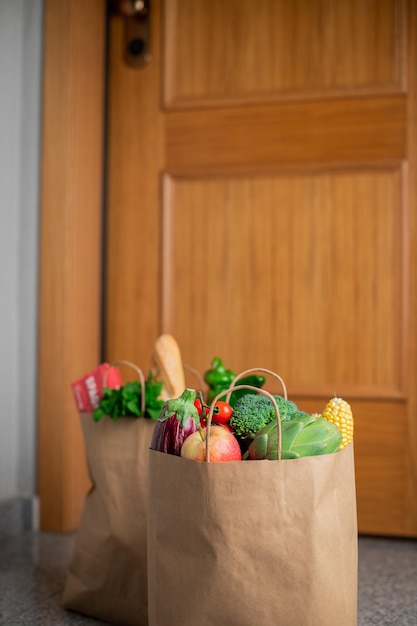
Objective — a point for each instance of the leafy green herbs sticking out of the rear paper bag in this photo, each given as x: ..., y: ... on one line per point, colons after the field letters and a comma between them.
x: 126, y: 401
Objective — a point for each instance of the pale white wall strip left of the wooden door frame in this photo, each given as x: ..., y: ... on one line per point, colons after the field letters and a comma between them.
x: 20, y: 129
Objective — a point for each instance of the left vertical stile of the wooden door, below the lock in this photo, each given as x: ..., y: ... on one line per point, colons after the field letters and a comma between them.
x: 133, y: 239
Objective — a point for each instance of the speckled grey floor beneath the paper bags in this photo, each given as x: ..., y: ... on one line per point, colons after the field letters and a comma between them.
x: 33, y: 568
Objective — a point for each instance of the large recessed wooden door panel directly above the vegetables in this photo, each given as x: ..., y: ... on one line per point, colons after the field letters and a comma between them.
x: 308, y: 271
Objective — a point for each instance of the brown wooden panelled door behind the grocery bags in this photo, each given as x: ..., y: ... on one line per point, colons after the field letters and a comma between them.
x: 261, y: 207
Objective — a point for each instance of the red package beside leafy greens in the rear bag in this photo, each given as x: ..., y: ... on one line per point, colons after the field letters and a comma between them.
x: 89, y: 389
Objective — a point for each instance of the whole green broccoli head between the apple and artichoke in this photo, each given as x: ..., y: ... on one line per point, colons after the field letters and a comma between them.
x: 253, y: 412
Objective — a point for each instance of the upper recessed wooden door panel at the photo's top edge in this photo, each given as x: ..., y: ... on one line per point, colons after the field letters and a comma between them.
x: 213, y: 54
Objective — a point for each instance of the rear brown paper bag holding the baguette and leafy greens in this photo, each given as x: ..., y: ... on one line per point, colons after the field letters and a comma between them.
x: 108, y: 573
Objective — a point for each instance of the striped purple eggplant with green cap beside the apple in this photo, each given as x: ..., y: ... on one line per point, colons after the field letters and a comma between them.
x: 178, y: 419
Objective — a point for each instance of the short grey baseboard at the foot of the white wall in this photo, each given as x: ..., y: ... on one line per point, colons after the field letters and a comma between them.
x: 18, y: 515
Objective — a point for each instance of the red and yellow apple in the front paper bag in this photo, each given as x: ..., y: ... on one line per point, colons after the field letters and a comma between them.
x: 223, y: 446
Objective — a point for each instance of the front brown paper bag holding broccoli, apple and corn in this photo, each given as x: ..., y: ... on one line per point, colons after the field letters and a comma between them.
x: 251, y: 543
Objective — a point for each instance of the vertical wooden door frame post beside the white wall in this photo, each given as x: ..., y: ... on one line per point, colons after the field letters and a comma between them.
x: 70, y: 266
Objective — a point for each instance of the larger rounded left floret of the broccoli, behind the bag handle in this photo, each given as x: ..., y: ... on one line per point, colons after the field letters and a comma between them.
x: 250, y: 414
